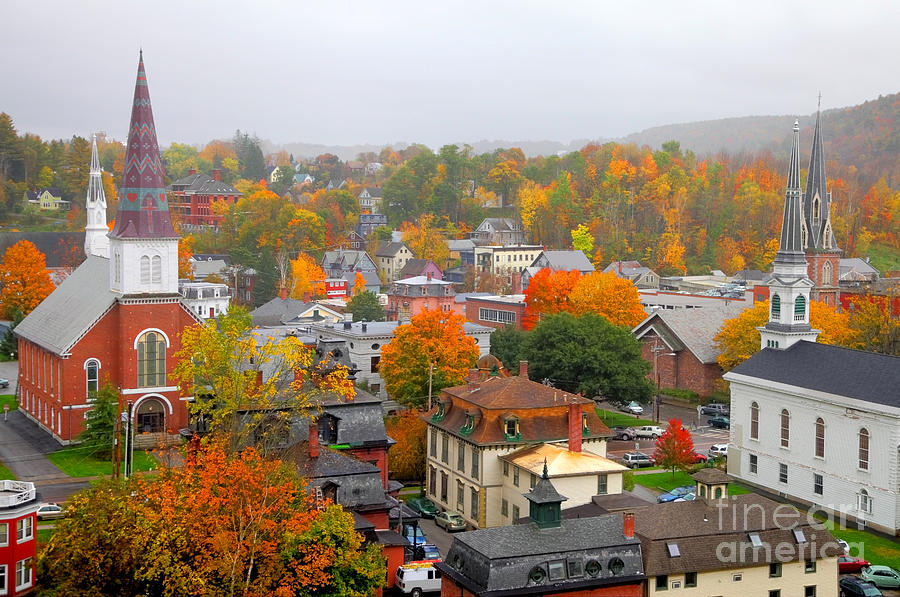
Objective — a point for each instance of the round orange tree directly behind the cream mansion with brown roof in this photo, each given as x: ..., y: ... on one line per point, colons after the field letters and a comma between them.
x: 431, y: 339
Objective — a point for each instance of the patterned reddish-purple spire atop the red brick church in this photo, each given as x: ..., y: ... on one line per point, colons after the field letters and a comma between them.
x: 143, y: 210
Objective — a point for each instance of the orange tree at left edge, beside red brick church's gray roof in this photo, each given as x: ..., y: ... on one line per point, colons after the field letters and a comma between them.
x: 24, y: 279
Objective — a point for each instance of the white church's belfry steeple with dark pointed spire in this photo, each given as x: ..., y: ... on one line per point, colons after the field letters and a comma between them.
x: 790, y: 285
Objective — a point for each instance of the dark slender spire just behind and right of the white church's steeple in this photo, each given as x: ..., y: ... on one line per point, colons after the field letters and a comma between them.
x: 817, y: 199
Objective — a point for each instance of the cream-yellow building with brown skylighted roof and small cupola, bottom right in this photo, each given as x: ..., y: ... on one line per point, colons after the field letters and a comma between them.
x: 734, y: 546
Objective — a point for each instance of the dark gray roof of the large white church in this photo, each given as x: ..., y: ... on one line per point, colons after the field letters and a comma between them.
x: 834, y: 370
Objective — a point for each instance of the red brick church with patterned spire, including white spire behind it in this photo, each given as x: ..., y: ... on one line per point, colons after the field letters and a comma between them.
x: 119, y: 316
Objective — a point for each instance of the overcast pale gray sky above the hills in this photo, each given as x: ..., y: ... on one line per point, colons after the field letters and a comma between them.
x: 342, y: 72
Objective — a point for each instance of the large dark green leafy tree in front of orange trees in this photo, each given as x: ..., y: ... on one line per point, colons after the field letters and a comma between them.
x: 589, y: 355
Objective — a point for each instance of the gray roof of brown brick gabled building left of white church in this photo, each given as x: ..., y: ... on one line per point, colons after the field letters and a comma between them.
x: 692, y: 328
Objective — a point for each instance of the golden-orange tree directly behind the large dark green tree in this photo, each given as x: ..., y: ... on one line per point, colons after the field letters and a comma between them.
x: 614, y: 298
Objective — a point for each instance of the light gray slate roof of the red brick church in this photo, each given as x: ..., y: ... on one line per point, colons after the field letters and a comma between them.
x: 70, y: 310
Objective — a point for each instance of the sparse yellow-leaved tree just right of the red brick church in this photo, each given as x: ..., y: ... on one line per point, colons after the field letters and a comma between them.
x: 248, y: 385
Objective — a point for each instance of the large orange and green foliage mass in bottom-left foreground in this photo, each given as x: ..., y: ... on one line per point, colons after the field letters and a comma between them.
x: 222, y: 524
